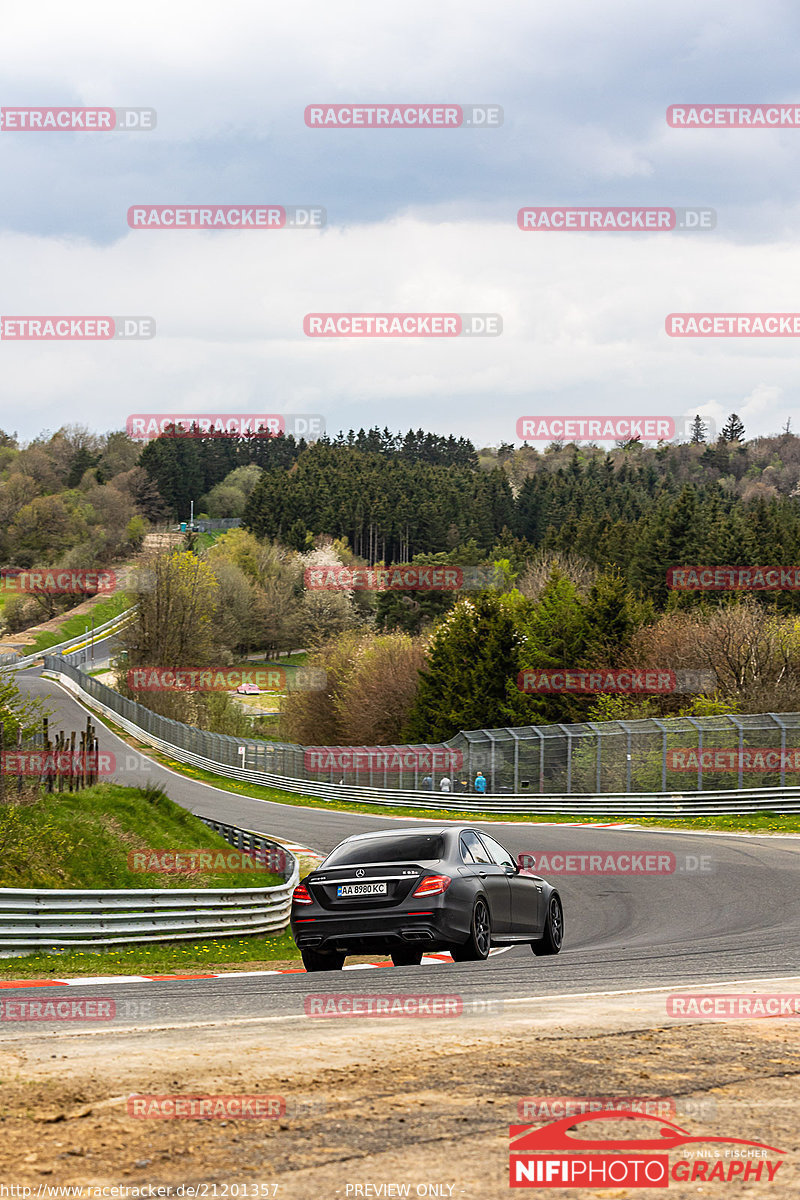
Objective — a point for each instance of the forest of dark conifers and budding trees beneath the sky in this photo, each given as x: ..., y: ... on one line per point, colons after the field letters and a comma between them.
x: 572, y: 548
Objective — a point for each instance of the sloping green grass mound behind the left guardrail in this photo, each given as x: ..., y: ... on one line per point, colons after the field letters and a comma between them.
x: 85, y: 841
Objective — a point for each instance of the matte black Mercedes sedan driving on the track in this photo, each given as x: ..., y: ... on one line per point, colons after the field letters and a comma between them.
x: 405, y: 892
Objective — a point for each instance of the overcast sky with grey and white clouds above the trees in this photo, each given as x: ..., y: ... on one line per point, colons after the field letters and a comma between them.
x: 418, y: 221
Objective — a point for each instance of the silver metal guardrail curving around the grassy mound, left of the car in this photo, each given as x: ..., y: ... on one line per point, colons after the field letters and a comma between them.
x: 65, y: 919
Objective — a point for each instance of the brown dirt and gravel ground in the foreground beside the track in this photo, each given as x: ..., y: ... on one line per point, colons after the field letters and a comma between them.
x: 423, y: 1106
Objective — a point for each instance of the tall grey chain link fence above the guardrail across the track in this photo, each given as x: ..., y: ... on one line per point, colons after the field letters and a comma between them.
x: 681, y: 754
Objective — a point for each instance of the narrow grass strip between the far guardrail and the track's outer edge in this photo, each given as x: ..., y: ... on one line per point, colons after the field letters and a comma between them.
x: 760, y: 823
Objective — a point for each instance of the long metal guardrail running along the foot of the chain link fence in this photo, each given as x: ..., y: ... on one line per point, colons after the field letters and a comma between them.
x: 624, y: 805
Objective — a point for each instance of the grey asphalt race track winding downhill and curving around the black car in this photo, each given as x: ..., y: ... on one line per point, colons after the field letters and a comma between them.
x: 730, y: 913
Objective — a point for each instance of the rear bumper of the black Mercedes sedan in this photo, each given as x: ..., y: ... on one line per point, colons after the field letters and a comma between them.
x: 381, y: 933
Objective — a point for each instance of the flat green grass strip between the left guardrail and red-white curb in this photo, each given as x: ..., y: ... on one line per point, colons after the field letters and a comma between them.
x: 154, y: 958
